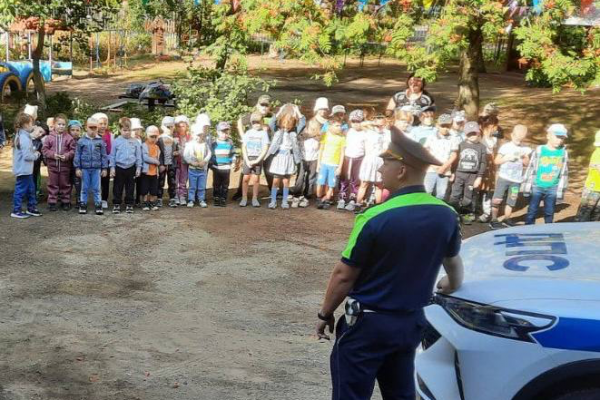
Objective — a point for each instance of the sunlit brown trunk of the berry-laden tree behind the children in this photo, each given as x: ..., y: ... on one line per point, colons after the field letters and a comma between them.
x: 468, y: 83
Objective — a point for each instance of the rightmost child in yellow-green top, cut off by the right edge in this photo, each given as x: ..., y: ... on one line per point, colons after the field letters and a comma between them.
x: 589, y: 209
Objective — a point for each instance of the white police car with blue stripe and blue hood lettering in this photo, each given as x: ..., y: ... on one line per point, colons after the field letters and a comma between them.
x: 526, y: 323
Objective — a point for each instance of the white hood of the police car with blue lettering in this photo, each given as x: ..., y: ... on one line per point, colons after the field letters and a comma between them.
x: 552, y: 261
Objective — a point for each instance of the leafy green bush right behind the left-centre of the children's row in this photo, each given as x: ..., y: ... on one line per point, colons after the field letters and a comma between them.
x: 221, y: 94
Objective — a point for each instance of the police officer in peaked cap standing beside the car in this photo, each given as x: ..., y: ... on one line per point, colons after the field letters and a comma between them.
x: 388, y: 273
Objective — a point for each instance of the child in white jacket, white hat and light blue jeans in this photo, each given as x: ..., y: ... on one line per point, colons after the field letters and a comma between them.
x: 197, y: 155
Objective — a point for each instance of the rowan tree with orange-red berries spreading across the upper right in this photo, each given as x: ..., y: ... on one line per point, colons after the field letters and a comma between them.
x: 320, y: 33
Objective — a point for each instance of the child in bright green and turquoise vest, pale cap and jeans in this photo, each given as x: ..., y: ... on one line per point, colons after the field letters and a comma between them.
x: 547, y: 175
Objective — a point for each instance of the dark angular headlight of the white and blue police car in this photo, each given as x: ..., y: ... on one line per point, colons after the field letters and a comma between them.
x: 492, y: 320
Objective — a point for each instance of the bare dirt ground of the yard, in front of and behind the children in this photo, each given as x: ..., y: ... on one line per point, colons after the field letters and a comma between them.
x: 190, y: 303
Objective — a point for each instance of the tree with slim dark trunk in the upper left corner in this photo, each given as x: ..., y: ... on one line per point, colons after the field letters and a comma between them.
x: 46, y: 16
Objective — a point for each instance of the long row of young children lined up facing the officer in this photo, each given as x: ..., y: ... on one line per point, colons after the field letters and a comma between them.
x: 334, y: 157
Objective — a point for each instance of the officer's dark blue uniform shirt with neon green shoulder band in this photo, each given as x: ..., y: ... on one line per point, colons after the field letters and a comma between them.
x: 399, y: 246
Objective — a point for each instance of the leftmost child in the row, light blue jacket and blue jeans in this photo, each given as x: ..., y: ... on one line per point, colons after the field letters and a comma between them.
x: 24, y: 156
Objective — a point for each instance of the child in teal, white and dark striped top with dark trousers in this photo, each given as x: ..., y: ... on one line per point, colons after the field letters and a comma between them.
x: 223, y: 156
